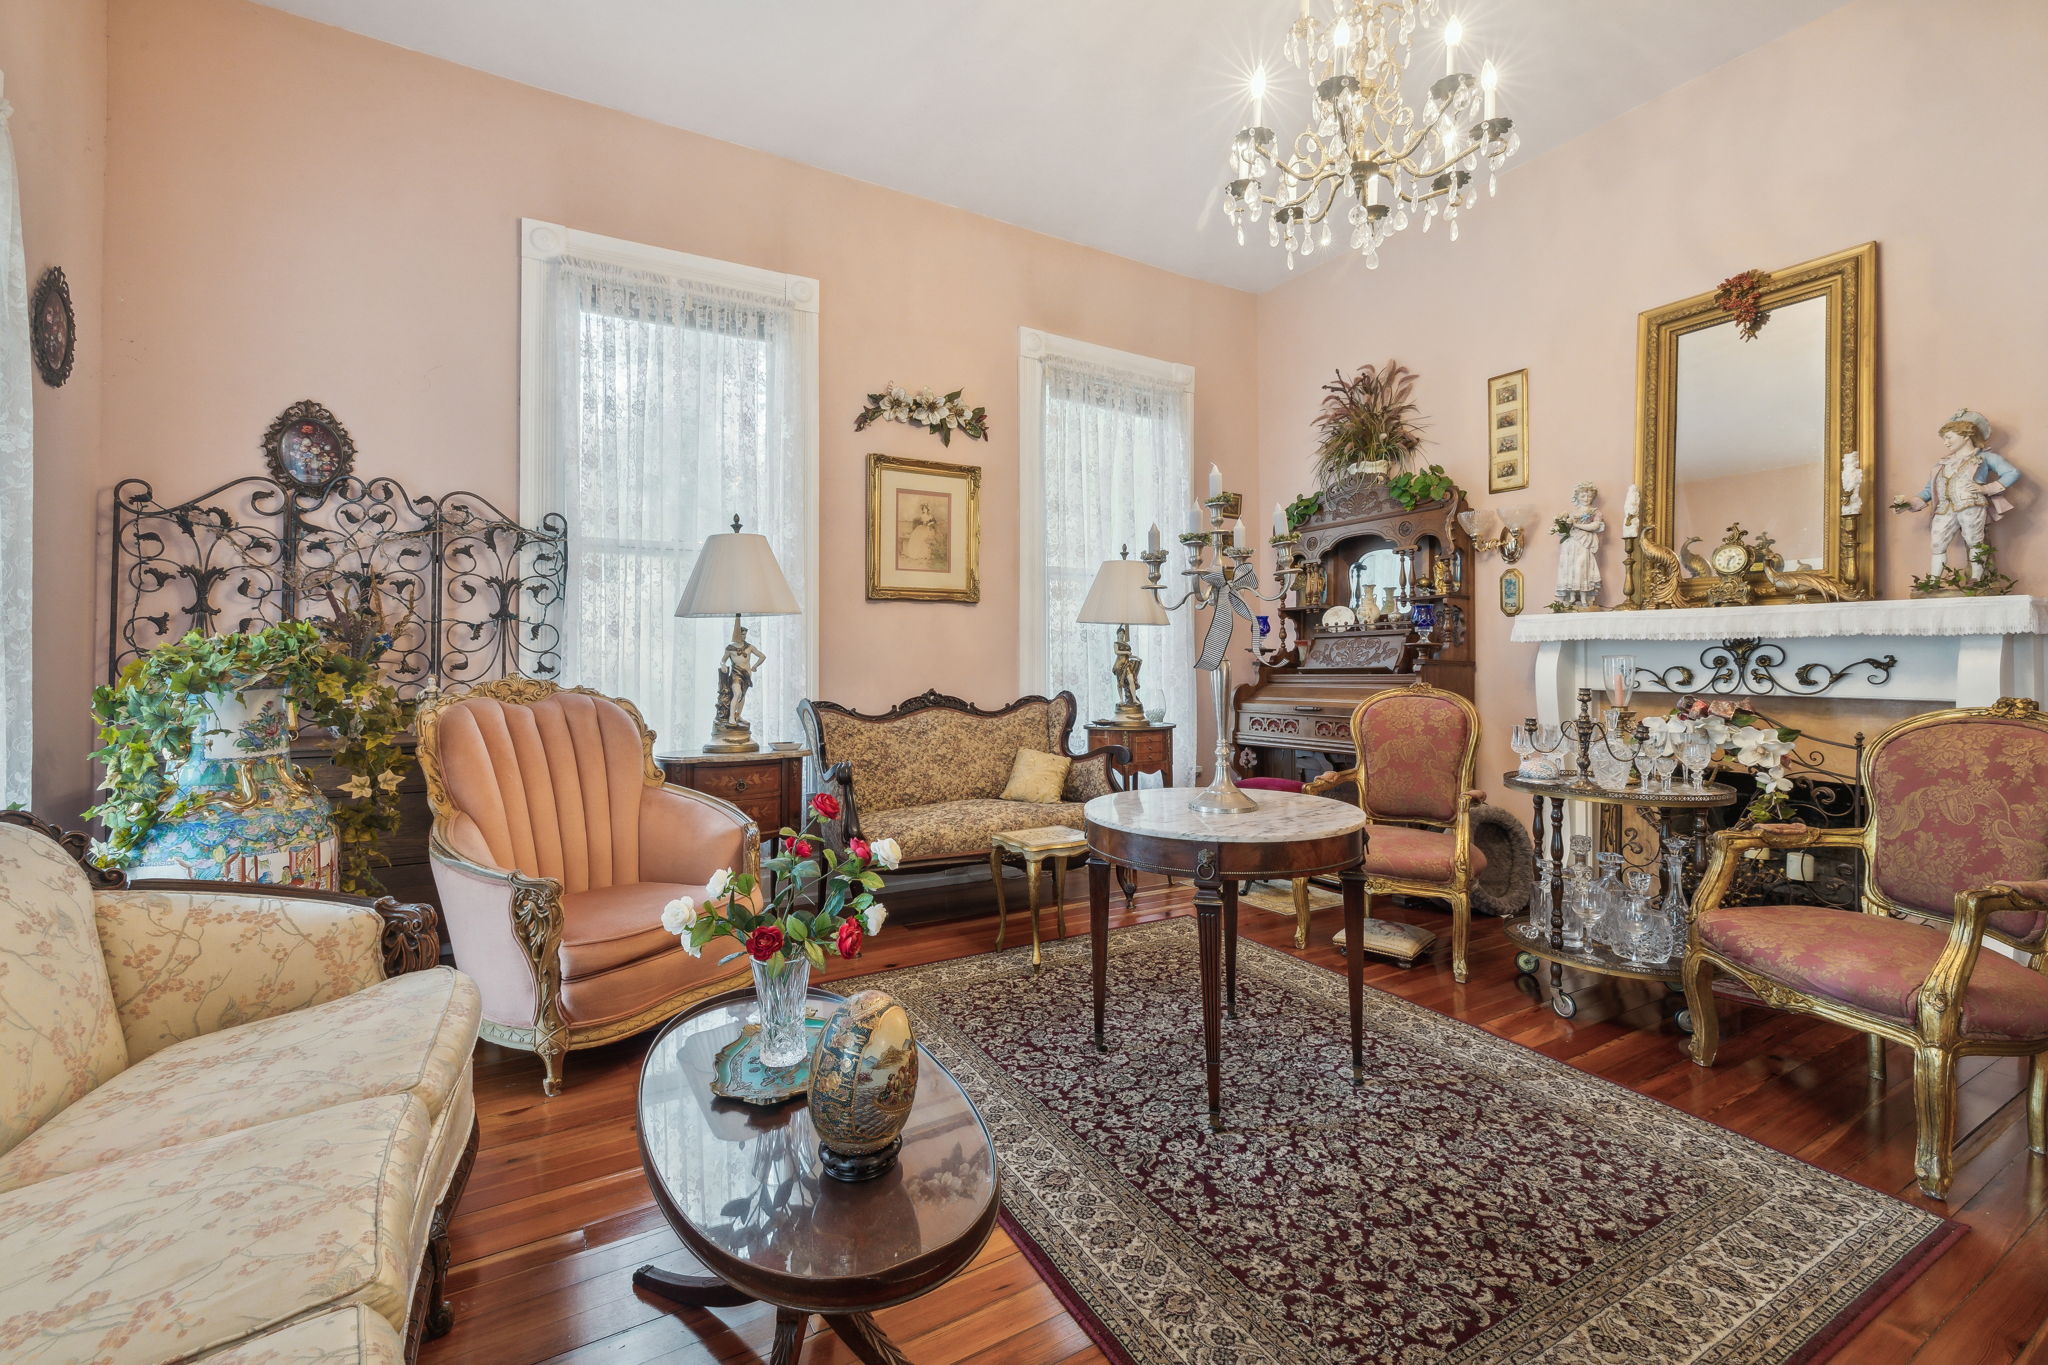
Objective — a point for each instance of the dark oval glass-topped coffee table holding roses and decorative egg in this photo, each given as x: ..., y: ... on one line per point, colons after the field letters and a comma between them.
x: 749, y: 1196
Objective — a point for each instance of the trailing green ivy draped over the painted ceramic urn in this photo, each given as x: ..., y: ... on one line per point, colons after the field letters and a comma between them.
x: 153, y: 713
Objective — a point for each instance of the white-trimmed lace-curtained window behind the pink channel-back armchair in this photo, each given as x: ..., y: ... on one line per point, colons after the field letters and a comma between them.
x: 663, y: 396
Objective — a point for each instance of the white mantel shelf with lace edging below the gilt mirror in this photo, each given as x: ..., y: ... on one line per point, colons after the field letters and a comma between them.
x: 1795, y: 621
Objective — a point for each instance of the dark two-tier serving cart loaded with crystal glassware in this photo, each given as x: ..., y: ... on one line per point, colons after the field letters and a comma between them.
x: 1601, y: 928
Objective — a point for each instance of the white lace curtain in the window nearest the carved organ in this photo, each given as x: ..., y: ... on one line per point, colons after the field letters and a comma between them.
x: 1115, y: 459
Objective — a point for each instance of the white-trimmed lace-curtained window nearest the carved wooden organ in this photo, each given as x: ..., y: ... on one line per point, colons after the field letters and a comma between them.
x: 1109, y: 451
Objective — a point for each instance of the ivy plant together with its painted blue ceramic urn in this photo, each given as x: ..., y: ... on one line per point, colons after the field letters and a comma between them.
x: 196, y: 746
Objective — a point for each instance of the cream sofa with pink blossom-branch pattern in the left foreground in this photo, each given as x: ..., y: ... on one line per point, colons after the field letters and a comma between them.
x: 232, y: 1120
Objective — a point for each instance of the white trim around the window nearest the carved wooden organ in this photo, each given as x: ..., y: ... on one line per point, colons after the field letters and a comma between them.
x: 1033, y: 349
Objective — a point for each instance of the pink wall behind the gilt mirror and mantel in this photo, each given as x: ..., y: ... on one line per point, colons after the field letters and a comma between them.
x: 1871, y: 124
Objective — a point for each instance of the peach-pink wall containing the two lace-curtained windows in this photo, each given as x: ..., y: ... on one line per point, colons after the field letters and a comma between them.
x: 298, y: 212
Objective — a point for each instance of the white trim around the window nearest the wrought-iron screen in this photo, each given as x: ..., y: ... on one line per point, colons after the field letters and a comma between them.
x: 542, y: 247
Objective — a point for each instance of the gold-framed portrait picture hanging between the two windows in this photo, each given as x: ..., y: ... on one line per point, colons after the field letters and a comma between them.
x: 925, y: 531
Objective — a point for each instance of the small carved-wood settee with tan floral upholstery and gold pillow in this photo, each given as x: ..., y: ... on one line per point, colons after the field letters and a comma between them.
x: 931, y: 773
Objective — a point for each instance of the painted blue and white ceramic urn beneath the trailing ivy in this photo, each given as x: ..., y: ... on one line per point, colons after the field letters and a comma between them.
x: 245, y: 813
